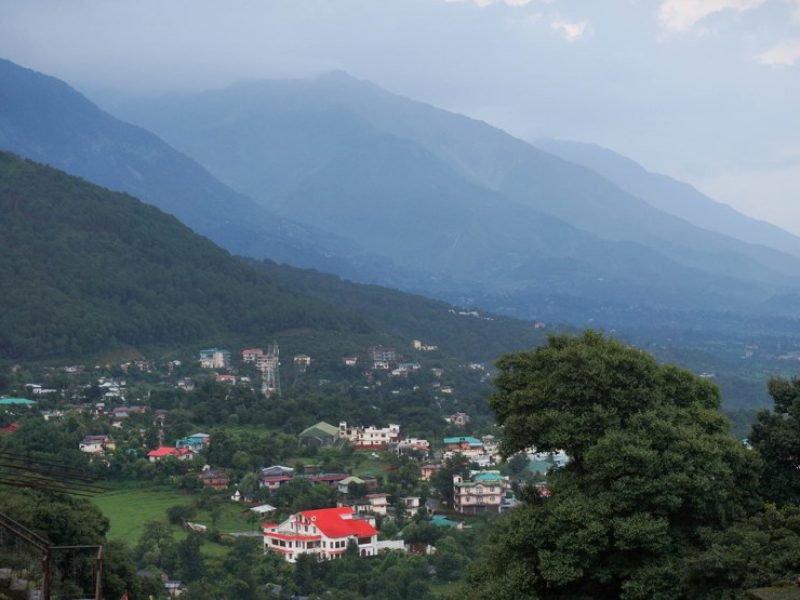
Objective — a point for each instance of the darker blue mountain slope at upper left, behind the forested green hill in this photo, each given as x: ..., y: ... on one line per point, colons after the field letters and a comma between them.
x: 44, y: 119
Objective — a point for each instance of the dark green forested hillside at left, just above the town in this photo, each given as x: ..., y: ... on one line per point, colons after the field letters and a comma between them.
x: 87, y: 270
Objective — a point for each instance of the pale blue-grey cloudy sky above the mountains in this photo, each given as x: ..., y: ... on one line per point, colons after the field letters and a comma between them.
x: 707, y: 91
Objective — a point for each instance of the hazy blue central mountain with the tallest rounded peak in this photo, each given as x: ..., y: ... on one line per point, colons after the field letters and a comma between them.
x: 456, y: 199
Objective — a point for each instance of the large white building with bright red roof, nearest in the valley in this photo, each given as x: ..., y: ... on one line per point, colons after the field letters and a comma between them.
x: 325, y: 532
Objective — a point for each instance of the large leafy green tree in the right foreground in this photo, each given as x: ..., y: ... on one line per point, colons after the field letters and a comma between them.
x: 652, y: 466
